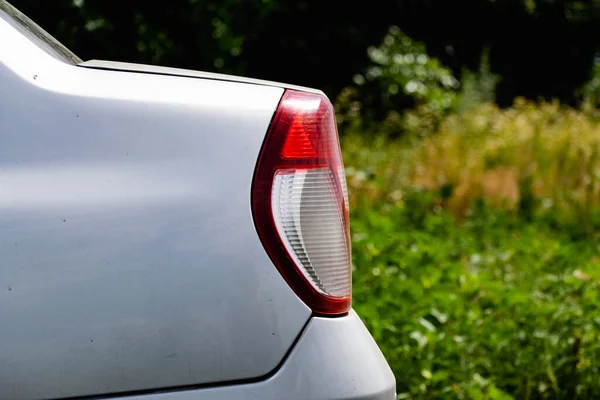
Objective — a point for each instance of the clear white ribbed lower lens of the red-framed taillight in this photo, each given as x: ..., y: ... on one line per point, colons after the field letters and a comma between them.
x: 309, y: 217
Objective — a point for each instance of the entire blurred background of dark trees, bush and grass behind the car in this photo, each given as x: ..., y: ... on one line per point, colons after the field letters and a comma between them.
x: 471, y: 139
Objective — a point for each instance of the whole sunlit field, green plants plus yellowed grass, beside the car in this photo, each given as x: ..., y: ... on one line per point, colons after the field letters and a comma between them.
x: 477, y: 253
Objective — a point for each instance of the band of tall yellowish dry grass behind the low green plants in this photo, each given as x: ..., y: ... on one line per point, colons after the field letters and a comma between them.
x: 540, y: 156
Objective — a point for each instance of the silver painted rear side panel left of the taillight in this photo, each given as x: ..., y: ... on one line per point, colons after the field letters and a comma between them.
x: 128, y: 255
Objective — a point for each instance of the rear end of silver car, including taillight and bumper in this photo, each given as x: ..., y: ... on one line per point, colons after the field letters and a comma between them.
x: 171, y: 235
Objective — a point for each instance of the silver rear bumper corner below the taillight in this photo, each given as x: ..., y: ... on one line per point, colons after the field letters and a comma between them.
x: 335, y: 358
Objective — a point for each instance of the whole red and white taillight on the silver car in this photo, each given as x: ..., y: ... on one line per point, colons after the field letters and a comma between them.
x: 300, y: 202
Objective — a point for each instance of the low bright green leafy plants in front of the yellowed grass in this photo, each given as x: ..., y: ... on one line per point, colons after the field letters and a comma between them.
x: 490, y: 308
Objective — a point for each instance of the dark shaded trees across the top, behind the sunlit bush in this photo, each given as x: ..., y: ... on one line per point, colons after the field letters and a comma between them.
x: 538, y: 47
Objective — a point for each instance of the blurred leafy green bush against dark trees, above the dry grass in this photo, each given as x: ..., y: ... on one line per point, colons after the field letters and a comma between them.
x: 404, y: 90
